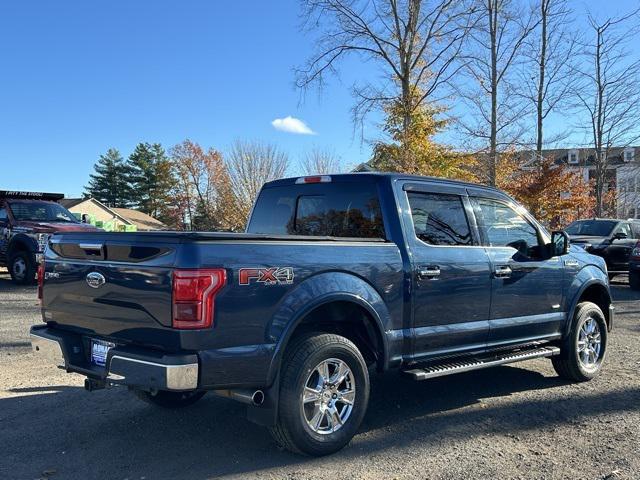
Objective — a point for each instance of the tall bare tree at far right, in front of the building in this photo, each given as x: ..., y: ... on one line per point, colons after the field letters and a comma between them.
x: 609, y: 92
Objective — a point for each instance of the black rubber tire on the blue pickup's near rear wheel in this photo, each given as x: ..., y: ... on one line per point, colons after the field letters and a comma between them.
x: 301, y: 359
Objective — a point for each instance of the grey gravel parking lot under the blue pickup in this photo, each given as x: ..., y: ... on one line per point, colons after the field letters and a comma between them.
x: 516, y: 422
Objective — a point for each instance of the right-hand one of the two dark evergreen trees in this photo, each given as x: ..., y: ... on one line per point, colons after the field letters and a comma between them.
x: 152, y: 180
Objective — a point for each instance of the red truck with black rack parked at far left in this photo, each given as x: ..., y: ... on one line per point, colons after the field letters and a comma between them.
x: 26, y: 221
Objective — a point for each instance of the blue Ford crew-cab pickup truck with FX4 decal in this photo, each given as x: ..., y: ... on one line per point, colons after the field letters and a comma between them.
x: 336, y: 277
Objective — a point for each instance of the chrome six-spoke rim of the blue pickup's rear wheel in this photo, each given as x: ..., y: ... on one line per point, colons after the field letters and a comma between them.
x: 328, y: 396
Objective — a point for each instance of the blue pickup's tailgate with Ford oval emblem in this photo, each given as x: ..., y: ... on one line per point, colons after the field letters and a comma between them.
x: 111, y: 286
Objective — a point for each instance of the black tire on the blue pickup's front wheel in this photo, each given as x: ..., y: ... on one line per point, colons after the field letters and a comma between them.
x: 569, y: 364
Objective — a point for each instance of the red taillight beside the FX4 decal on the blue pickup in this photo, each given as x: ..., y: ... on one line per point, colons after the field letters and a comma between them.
x: 194, y: 292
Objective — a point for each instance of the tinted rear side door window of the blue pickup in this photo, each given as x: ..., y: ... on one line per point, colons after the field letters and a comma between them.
x: 439, y: 219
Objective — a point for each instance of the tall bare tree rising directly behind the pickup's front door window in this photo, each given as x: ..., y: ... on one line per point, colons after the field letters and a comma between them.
x: 497, y: 111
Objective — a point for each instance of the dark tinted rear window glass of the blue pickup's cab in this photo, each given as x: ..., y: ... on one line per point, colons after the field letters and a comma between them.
x: 336, y: 210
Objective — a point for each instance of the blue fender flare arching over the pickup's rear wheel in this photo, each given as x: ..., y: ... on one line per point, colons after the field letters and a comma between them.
x: 319, y: 290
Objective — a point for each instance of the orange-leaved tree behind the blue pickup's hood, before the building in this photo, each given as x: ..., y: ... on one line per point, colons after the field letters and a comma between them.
x: 554, y: 194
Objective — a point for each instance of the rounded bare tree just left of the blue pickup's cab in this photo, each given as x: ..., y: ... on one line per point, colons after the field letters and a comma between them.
x: 251, y: 165
